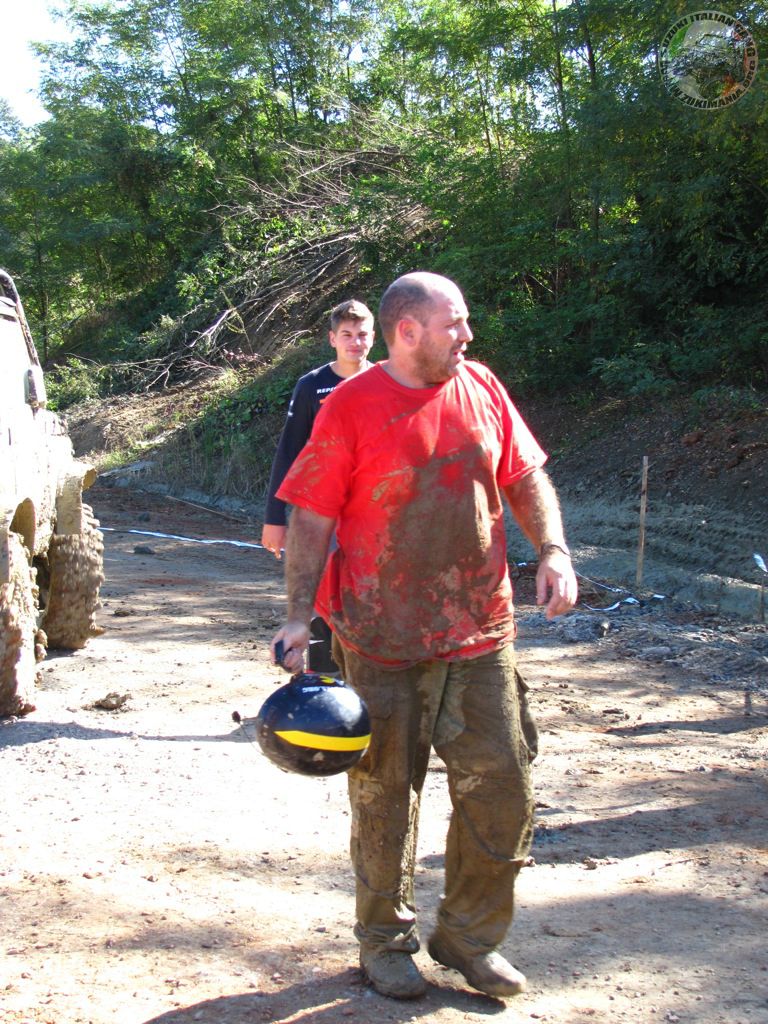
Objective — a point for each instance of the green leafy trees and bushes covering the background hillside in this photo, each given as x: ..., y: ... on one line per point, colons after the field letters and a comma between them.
x: 605, y: 234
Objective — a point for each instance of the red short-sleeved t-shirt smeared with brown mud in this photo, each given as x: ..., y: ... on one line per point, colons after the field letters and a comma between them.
x: 413, y: 478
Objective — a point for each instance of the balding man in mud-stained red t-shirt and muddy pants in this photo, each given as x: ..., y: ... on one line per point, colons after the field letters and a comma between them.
x: 409, y: 462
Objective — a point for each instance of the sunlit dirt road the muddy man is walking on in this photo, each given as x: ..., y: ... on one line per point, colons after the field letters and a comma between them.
x: 155, y: 868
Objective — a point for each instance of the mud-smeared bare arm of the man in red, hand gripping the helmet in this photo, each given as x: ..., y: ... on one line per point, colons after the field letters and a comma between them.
x: 307, y: 552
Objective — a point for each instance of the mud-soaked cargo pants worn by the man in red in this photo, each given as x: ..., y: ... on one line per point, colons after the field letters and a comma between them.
x: 476, y: 715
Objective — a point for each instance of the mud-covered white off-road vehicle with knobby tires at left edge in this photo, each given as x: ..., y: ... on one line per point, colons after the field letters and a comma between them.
x: 52, y: 551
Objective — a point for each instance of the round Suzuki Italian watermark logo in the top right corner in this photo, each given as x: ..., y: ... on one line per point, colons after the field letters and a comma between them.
x: 709, y: 60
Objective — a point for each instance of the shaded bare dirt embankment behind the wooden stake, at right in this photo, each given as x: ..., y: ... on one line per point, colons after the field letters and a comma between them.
x: 707, y: 495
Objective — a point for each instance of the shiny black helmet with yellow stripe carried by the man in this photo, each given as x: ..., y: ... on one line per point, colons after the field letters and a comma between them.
x: 314, y: 726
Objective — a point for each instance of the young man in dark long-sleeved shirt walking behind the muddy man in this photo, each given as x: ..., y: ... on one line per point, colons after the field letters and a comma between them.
x: 352, y: 336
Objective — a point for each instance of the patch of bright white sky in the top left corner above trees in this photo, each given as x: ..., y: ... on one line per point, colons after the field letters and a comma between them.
x: 25, y: 21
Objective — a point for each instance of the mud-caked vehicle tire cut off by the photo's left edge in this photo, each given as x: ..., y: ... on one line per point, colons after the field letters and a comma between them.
x: 18, y: 632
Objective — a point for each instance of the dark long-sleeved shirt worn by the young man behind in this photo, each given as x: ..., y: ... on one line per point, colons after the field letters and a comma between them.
x: 310, y: 394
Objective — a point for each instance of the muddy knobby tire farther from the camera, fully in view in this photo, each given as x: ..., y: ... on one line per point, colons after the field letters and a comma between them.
x: 75, y: 575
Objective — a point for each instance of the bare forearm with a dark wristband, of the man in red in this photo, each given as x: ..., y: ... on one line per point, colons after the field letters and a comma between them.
x: 536, y: 507
